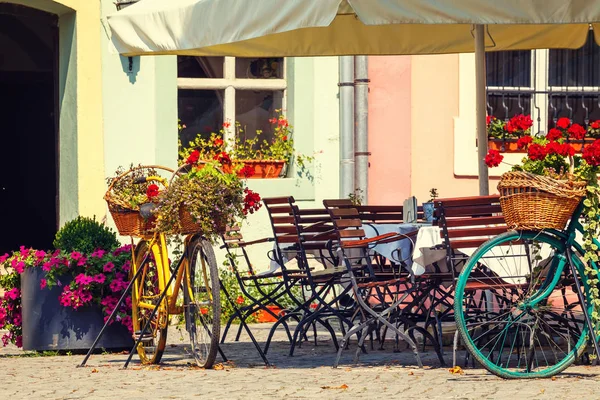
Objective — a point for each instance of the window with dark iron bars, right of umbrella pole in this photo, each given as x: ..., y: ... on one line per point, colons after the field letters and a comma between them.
x: 548, y: 84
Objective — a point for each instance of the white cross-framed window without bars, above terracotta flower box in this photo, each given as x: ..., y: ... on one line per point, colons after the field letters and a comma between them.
x: 214, y: 90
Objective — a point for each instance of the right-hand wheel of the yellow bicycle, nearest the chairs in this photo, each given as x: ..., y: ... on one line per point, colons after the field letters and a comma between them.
x: 202, y: 302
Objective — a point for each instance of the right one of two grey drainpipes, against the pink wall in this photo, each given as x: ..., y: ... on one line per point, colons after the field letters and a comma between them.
x: 361, y: 135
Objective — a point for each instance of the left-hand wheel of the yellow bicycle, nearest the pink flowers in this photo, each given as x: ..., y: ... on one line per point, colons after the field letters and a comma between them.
x: 144, y: 297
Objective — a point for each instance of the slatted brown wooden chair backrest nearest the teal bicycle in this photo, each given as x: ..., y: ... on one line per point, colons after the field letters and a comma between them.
x: 467, y: 222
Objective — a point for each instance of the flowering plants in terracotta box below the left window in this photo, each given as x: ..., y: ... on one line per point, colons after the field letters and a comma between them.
x: 249, y: 157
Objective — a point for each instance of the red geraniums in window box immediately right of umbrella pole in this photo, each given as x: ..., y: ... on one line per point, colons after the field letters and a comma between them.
x: 509, y: 136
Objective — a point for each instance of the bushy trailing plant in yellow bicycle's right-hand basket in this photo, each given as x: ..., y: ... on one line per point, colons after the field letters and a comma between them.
x: 203, y: 198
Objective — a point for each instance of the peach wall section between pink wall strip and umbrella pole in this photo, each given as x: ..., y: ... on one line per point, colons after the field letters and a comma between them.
x: 444, y: 152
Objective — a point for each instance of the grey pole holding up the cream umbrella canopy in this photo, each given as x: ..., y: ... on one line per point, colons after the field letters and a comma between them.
x: 480, y: 98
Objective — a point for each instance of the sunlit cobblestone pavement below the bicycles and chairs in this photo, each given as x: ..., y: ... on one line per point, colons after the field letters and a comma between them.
x: 307, y: 375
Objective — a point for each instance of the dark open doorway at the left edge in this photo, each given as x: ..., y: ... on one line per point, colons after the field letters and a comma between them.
x: 28, y: 127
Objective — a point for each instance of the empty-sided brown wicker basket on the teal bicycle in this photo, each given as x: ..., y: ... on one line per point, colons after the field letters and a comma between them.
x: 535, y: 202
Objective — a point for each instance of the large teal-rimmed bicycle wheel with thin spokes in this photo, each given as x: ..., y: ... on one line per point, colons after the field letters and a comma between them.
x: 509, y: 315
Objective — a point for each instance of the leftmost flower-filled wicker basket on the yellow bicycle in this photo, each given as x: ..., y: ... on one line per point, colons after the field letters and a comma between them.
x: 127, y: 192
